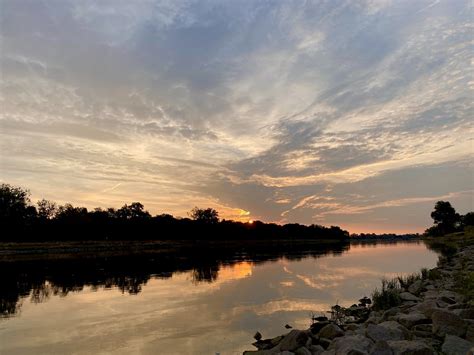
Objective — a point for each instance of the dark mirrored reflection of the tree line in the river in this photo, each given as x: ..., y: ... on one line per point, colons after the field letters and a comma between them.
x: 41, y: 279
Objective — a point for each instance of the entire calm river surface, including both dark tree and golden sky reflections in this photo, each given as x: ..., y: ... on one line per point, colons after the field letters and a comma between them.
x: 194, y: 303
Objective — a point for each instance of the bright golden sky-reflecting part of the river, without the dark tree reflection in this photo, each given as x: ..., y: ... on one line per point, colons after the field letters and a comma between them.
x: 185, y: 314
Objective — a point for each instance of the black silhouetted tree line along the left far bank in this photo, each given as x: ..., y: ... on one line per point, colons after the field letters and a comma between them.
x: 21, y: 220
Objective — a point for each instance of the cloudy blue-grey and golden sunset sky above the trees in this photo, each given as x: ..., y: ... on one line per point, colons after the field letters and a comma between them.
x: 349, y: 113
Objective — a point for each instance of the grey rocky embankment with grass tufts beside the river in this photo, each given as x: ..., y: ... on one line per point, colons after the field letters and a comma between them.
x: 433, y: 316
